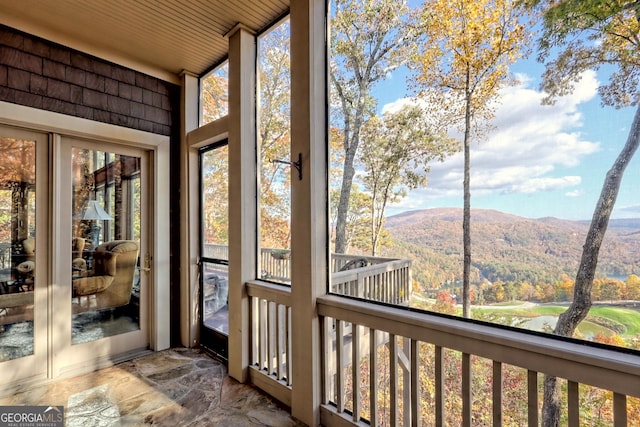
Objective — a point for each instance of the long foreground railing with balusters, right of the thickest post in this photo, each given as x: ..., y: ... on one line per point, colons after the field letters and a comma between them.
x: 414, y: 368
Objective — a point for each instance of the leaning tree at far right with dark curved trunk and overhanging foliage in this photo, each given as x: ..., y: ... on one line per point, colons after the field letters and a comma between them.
x: 588, y: 35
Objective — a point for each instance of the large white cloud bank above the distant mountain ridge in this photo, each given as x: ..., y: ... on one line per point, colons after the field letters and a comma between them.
x: 527, y: 152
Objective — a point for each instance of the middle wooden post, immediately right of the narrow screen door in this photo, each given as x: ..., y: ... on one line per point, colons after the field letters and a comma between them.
x: 242, y: 194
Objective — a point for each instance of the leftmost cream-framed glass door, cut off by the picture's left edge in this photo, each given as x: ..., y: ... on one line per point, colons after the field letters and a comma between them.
x: 22, y: 337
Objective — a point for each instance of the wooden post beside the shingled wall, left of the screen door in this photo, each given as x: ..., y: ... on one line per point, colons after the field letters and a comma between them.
x: 189, y: 323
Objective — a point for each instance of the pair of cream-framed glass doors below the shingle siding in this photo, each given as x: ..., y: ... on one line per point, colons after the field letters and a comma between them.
x: 71, y: 291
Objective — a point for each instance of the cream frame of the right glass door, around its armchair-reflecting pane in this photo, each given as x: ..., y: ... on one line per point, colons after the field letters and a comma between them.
x: 70, y: 358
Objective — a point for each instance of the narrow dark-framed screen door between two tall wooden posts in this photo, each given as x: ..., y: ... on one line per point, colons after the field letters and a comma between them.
x: 214, y: 259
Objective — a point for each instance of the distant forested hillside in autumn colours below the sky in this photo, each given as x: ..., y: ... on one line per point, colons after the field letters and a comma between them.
x: 507, y: 247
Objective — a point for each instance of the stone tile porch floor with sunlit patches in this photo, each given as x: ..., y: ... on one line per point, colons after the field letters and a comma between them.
x: 177, y: 387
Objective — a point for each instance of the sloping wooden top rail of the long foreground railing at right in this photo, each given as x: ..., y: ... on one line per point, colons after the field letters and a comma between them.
x: 601, y: 367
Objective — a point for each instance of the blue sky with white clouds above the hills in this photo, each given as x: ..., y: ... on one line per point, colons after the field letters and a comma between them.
x: 539, y: 160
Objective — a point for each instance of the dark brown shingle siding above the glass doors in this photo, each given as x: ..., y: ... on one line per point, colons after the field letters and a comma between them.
x: 44, y: 75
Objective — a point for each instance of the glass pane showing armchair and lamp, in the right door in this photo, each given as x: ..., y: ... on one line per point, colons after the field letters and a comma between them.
x: 105, y: 244
